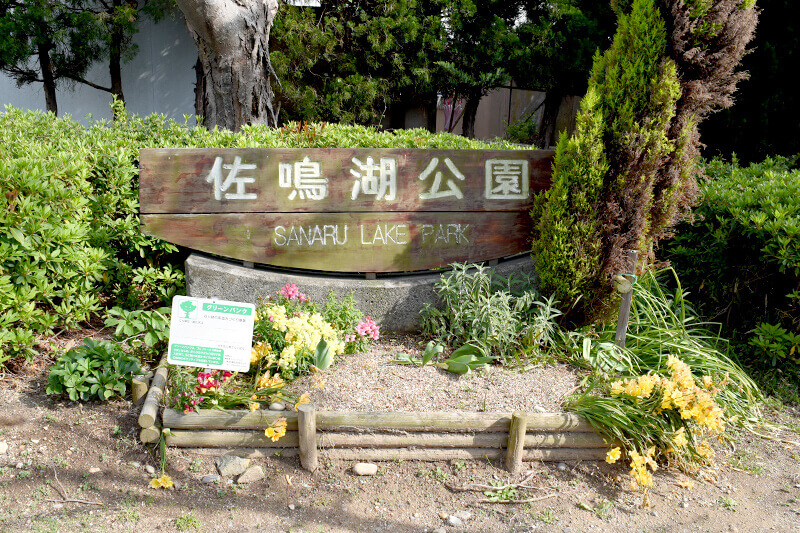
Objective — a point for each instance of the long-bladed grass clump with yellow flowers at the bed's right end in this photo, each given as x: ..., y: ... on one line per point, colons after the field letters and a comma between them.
x: 671, y: 387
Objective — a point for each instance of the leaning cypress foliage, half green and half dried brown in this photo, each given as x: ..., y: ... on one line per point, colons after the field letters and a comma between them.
x: 628, y: 173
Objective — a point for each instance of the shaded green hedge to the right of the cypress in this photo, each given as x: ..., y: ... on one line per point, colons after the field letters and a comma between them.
x: 741, y: 258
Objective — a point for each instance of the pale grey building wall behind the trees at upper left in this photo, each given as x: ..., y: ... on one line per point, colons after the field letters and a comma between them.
x: 160, y: 79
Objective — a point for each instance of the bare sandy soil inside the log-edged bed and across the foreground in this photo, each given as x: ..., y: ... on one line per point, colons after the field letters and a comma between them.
x: 67, y: 466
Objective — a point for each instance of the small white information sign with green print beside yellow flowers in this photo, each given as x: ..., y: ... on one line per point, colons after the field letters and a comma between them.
x: 211, y: 333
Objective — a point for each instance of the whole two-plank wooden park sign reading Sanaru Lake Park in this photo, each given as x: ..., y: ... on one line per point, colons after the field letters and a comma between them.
x: 346, y: 210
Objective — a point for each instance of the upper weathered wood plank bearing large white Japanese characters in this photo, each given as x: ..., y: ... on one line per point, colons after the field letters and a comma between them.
x: 335, y: 180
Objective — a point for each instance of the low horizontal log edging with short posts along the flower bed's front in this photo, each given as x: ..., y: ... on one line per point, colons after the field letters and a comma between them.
x: 383, y: 436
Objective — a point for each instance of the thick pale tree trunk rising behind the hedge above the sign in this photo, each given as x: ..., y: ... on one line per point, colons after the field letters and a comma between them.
x: 232, y: 39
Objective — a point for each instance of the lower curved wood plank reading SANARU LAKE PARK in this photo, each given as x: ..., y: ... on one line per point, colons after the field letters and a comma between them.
x: 349, y: 242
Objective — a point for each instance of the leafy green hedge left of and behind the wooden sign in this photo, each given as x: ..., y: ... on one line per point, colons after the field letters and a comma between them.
x: 70, y: 244
